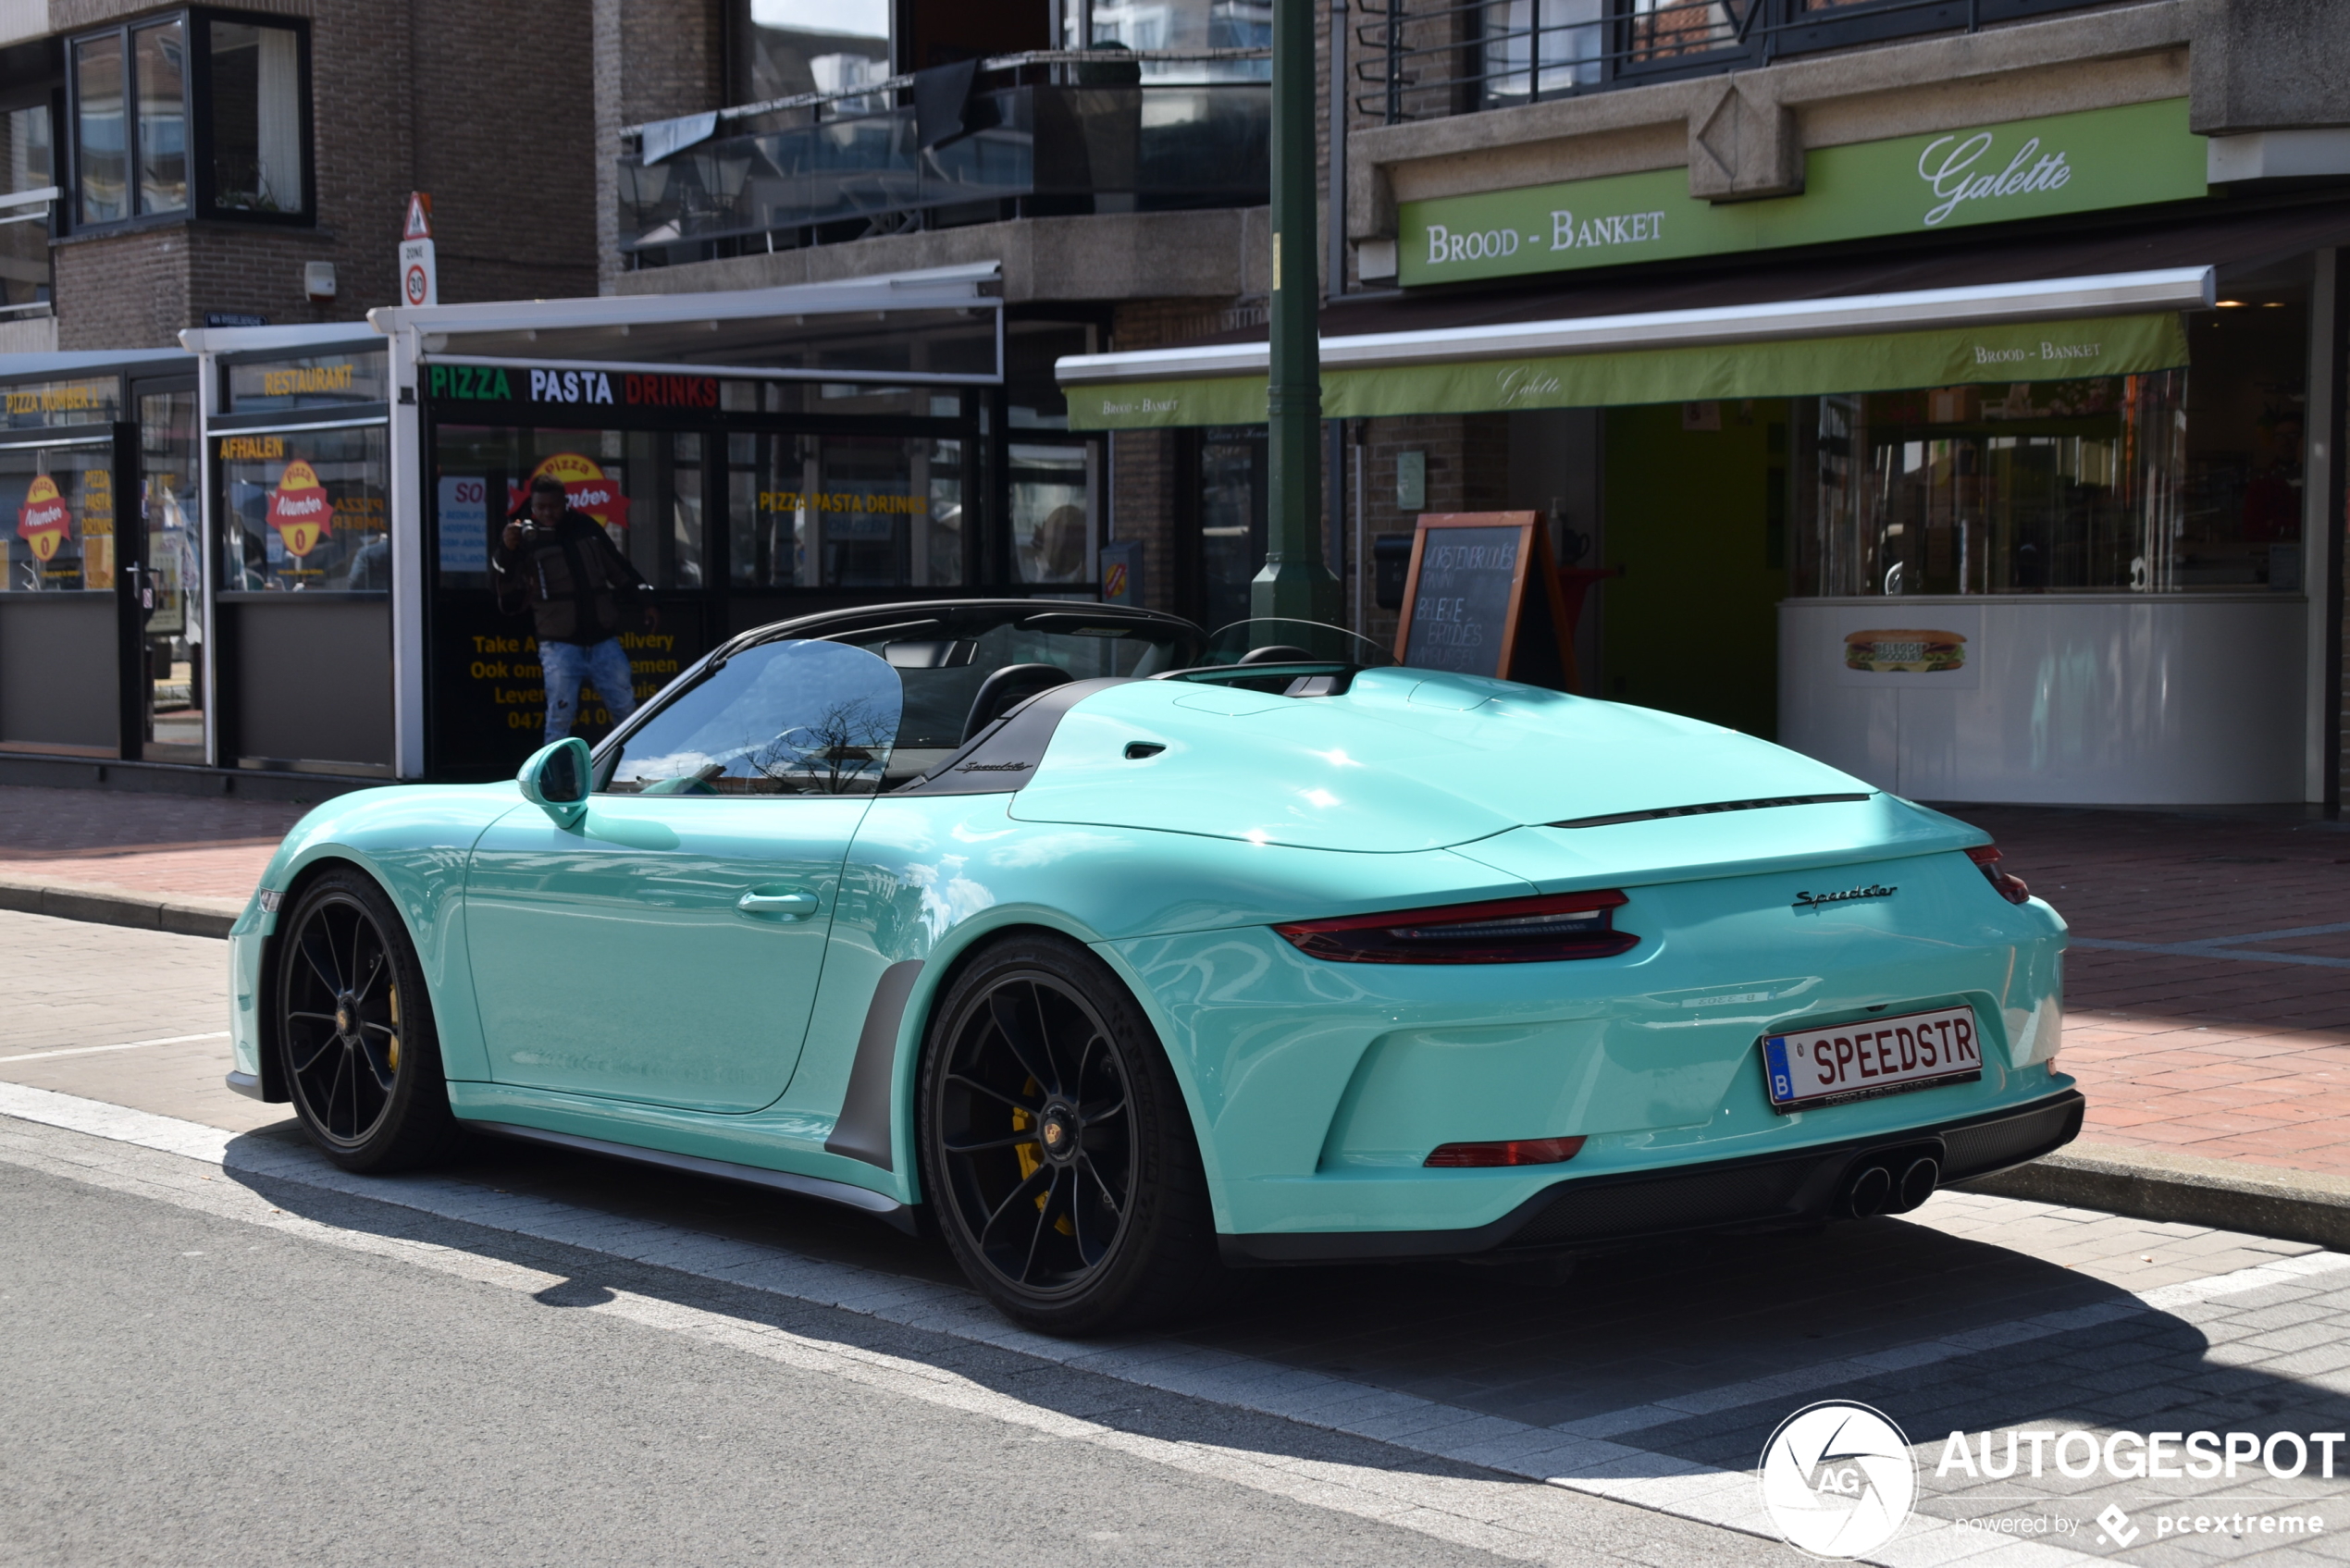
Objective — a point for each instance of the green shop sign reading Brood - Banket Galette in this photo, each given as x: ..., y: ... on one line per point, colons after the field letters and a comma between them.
x: 2041, y: 168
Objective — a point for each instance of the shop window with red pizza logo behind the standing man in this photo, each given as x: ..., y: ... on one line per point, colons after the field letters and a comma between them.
x: 643, y: 488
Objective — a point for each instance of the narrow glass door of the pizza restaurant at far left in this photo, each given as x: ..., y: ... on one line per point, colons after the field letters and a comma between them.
x: 168, y: 582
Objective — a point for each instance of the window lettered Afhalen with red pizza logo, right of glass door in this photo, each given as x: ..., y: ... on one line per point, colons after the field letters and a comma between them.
x: 307, y: 511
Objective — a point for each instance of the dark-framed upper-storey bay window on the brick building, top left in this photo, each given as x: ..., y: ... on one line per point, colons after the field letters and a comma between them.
x: 194, y: 114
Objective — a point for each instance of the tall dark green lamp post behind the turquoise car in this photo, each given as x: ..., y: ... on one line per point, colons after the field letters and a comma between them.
x: 1296, y: 582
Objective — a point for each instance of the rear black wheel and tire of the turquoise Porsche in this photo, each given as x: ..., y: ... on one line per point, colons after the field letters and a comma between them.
x: 1056, y: 1146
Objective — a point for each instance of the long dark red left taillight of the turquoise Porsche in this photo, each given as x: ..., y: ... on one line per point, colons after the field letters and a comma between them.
x: 1503, y: 932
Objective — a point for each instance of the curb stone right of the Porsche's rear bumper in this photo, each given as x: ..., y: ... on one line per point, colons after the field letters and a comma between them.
x: 2184, y: 1191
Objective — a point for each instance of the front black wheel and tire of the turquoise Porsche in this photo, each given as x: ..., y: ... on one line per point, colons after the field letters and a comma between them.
x: 356, y: 1031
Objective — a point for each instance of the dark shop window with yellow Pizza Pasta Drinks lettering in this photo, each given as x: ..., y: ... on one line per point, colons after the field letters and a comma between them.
x: 845, y: 511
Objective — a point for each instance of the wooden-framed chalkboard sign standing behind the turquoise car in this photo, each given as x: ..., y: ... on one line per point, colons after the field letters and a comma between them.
x: 1484, y: 601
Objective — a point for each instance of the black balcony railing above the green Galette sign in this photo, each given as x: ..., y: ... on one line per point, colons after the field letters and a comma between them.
x: 1425, y: 60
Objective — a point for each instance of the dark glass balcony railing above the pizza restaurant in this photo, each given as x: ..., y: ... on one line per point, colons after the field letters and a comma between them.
x: 1115, y: 133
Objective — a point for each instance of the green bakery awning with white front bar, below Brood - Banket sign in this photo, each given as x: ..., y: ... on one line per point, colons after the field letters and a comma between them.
x: 2039, y: 330
